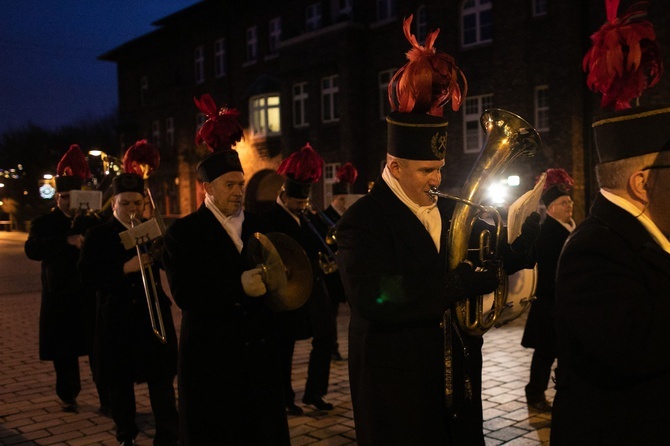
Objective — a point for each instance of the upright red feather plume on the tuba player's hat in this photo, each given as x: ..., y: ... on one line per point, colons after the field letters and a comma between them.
x: 428, y: 81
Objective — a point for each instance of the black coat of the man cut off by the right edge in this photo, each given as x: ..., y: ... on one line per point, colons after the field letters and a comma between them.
x: 612, y: 306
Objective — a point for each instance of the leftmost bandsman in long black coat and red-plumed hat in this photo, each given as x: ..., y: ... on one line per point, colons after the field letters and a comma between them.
x: 67, y: 311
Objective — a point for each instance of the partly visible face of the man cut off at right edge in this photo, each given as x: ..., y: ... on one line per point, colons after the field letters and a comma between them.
x: 658, y: 189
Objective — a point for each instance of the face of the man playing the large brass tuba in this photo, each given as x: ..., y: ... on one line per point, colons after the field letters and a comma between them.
x: 417, y: 177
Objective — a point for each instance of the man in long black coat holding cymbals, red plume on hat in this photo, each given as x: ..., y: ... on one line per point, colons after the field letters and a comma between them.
x: 230, y: 388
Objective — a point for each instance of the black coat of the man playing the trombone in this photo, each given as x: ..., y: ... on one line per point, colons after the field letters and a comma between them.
x: 126, y: 344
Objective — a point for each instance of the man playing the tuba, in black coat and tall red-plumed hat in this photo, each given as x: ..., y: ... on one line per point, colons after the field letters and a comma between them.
x: 392, y: 255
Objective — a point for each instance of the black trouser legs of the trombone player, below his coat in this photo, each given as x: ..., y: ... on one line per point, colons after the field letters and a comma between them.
x: 163, y: 405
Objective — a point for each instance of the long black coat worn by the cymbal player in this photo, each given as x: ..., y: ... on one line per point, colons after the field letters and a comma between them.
x: 230, y: 389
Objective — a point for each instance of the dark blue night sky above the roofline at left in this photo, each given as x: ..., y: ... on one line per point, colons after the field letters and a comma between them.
x: 49, y: 71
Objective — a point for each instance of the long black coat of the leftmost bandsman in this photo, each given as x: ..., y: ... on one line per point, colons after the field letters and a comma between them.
x: 65, y: 313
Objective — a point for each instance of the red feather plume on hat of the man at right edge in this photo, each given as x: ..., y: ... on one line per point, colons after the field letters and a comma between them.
x: 625, y: 58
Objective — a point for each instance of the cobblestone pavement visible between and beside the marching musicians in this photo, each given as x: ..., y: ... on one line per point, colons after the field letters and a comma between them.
x: 30, y: 412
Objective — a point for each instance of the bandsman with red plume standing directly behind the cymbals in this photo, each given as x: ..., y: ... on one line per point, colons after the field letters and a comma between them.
x: 314, y: 319
